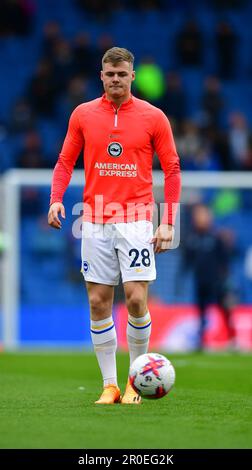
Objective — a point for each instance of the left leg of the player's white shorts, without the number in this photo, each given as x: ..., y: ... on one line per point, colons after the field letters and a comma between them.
x: 99, y: 260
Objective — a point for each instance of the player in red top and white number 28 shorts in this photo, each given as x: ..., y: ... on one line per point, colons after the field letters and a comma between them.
x: 119, y: 134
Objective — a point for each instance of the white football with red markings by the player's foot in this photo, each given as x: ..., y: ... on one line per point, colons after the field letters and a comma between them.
x: 152, y: 375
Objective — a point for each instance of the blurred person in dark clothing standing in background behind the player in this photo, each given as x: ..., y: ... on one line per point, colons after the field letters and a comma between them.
x: 204, y: 246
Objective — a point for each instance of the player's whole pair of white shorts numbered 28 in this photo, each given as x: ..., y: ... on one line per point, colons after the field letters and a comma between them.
x: 112, y: 249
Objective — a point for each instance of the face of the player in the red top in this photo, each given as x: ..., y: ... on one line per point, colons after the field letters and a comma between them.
x: 117, y: 80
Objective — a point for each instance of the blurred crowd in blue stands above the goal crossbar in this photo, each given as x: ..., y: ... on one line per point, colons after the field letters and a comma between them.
x: 67, y: 74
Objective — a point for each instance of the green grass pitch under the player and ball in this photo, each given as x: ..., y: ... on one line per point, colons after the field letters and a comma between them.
x: 47, y: 401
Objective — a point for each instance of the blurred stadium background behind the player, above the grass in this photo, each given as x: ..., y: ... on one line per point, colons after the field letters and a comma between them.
x: 194, y: 60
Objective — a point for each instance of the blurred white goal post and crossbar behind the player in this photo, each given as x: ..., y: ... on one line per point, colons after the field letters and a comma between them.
x: 12, y: 182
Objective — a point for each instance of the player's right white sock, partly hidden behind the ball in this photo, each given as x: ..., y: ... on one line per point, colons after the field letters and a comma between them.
x: 138, y: 335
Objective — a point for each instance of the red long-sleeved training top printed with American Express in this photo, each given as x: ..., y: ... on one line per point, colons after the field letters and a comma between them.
x: 119, y: 145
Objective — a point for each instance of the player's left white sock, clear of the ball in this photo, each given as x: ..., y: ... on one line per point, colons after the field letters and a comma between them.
x: 104, y: 339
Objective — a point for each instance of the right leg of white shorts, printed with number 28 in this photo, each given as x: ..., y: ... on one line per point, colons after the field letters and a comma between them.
x: 135, y: 251
